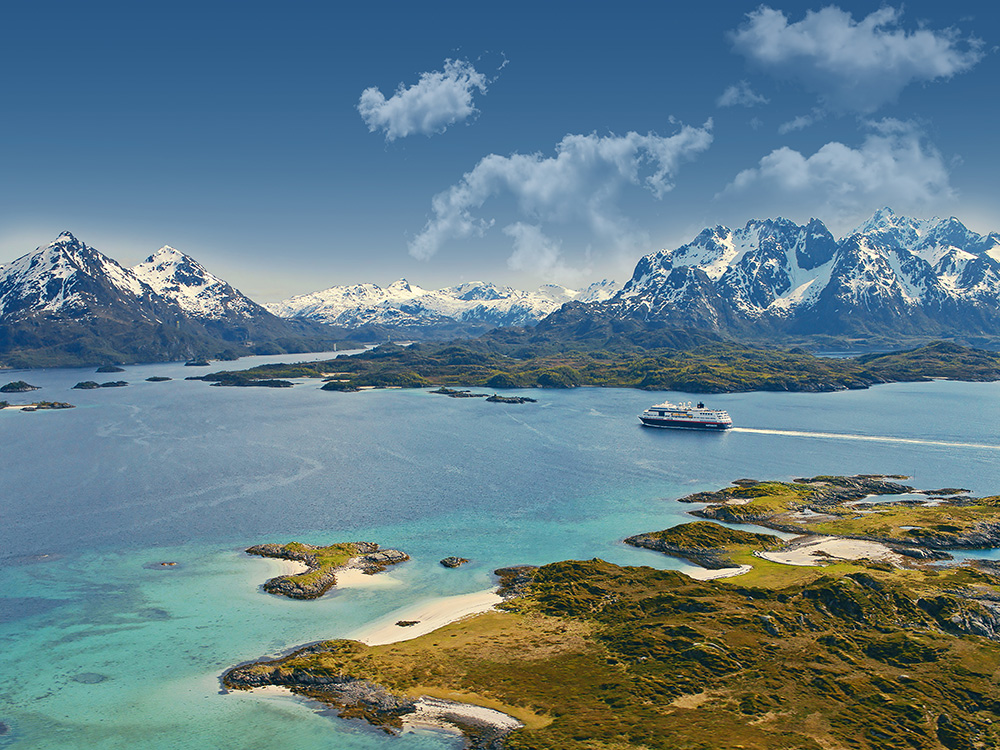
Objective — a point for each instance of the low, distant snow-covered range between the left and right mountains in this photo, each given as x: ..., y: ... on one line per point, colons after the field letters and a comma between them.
x: 406, y: 305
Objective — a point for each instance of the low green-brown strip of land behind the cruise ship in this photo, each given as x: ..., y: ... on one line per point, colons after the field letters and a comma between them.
x: 707, y: 368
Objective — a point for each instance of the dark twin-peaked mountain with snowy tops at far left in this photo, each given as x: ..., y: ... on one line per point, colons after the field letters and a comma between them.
x: 66, y: 303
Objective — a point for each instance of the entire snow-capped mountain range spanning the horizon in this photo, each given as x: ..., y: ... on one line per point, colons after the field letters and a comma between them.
x: 890, y: 279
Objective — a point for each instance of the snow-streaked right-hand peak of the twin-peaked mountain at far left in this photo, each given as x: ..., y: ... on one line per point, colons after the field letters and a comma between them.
x: 197, y: 292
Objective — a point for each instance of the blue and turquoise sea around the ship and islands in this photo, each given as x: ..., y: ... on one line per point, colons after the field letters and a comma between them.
x: 104, y: 646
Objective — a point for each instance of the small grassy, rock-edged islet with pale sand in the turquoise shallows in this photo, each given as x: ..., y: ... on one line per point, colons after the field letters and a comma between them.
x: 323, y: 564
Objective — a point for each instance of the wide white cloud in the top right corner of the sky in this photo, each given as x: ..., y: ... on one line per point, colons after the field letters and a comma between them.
x: 854, y: 66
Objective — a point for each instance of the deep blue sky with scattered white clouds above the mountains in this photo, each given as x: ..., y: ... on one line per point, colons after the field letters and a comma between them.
x: 296, y: 147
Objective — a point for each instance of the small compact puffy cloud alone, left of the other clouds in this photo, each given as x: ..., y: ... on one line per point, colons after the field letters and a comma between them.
x: 437, y: 100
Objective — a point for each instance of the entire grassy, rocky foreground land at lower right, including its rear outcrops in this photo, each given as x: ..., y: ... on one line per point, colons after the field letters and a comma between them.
x: 845, y: 653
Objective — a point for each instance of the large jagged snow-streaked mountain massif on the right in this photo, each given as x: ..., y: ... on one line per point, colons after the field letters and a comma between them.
x: 892, y: 273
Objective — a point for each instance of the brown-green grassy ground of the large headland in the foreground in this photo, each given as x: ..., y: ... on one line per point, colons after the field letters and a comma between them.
x: 603, y: 657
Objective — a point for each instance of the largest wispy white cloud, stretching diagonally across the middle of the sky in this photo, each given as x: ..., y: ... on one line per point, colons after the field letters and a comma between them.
x: 581, y: 185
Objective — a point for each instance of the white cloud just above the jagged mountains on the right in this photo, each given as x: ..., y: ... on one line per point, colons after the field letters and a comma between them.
x: 894, y: 166
